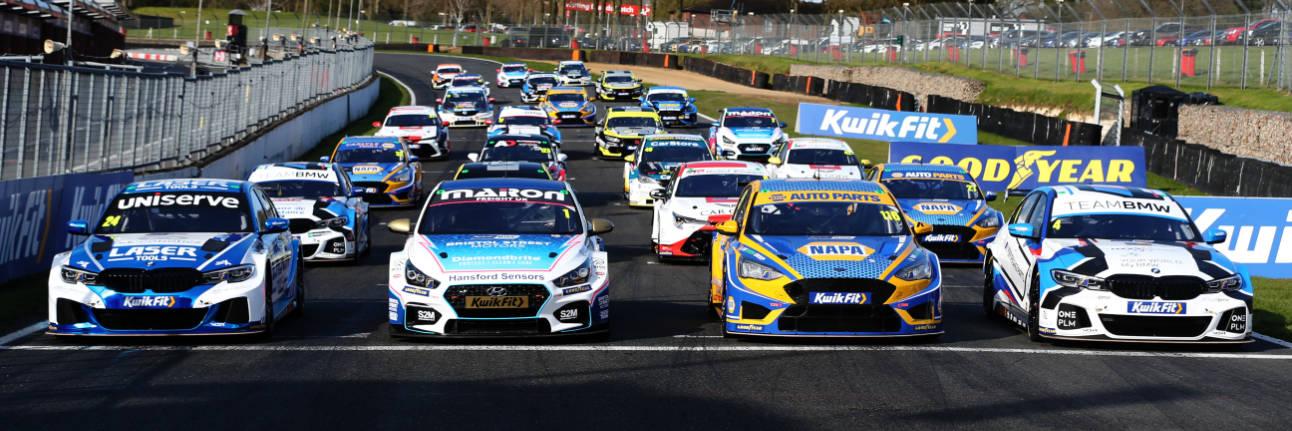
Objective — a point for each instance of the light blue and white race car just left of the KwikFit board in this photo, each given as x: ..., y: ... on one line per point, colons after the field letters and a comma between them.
x: 747, y: 134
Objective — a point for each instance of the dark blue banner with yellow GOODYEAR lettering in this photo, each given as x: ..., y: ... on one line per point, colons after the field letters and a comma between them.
x: 1001, y: 168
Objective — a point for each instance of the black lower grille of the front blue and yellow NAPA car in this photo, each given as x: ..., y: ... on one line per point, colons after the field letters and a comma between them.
x: 875, y: 317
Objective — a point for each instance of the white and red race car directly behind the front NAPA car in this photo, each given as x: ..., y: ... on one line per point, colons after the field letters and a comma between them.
x: 702, y: 195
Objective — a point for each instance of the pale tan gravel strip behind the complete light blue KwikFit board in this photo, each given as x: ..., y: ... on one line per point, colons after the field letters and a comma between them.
x: 901, y: 79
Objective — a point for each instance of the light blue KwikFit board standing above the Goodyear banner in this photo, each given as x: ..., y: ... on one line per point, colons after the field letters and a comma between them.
x: 846, y: 122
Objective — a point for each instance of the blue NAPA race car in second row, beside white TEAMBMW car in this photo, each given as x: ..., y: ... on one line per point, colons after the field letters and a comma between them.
x: 949, y: 199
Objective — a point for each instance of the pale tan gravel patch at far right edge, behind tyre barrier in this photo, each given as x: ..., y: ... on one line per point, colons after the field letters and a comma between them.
x: 1246, y: 134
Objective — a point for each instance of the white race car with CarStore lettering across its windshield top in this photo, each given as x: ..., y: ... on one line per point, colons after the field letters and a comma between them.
x: 654, y: 163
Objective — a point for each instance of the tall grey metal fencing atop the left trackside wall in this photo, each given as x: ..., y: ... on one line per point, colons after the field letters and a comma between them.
x: 91, y: 118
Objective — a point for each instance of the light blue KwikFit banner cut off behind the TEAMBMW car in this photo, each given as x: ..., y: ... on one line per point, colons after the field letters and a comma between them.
x: 1260, y: 230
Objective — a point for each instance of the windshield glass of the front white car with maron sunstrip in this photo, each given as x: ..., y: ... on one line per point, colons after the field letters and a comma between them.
x: 505, y: 217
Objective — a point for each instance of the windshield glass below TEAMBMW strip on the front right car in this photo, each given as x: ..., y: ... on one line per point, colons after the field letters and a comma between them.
x: 1123, y: 228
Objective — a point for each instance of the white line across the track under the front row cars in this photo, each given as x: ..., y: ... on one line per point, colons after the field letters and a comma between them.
x: 647, y: 349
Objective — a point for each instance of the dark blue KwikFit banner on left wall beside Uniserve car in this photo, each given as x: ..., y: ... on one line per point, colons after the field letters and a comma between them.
x: 34, y: 216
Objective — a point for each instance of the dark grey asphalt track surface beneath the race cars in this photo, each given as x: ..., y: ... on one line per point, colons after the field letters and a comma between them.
x: 665, y: 365
